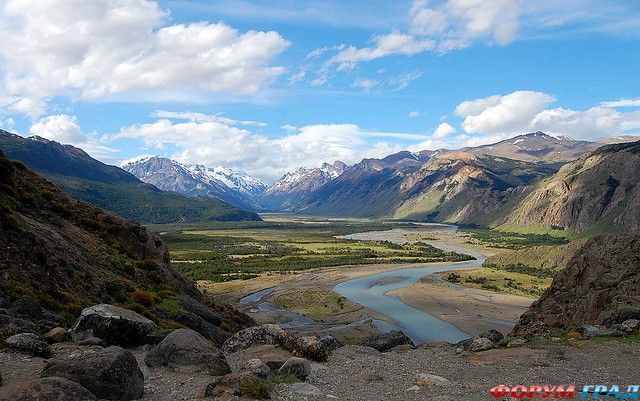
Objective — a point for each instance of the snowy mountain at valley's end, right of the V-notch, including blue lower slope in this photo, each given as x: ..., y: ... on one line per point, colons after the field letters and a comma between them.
x: 295, y: 185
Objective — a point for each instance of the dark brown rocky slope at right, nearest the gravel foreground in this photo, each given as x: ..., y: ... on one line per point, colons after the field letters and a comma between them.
x: 599, y: 286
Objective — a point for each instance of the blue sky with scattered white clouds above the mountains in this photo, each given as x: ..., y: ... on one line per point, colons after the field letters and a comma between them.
x: 266, y: 87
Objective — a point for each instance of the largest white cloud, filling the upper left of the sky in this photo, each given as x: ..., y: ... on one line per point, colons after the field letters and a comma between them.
x: 101, y: 48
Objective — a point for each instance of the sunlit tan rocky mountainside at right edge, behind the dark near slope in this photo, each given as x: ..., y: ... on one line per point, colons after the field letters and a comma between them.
x: 597, y: 193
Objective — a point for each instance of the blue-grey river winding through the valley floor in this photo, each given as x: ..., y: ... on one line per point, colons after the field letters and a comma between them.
x: 371, y: 291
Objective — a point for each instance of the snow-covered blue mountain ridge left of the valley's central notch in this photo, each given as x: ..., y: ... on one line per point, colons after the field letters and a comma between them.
x: 236, y: 188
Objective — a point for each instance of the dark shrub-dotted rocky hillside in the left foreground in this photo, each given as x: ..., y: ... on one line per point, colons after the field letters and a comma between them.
x: 60, y: 255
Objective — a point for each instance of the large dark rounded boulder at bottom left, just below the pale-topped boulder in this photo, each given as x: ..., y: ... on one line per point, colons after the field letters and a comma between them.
x: 109, y: 373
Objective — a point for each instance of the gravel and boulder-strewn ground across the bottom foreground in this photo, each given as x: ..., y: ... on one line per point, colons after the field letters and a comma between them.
x: 267, y: 362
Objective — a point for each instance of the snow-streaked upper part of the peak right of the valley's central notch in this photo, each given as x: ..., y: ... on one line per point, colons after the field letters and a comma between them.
x: 307, y: 179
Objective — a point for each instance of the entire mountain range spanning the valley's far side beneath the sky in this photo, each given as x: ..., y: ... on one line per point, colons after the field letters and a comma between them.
x: 533, y: 182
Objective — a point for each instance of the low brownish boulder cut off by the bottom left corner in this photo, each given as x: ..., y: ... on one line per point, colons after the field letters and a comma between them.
x: 46, y: 389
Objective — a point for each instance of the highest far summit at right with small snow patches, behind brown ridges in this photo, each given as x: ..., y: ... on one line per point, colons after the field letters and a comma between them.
x: 537, y: 146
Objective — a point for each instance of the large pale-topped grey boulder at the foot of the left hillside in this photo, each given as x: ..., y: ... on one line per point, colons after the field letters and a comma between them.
x: 114, y: 325
